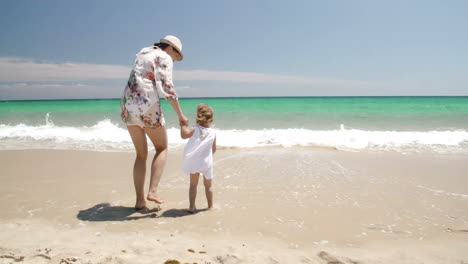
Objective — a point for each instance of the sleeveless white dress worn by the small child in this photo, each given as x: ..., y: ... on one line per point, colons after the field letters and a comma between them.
x: 198, y: 154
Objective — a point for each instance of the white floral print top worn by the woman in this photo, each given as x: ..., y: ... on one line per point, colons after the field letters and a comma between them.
x: 150, y: 78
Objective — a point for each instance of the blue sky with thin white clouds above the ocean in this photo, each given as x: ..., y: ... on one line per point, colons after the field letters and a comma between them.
x: 85, y: 49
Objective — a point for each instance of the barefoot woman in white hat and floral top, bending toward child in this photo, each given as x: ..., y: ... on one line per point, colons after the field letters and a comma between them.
x: 150, y: 78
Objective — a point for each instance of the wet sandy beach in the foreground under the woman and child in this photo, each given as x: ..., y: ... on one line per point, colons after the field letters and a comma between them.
x: 273, y: 205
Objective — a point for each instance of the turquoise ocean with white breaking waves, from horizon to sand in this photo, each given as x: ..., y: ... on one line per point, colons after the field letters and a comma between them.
x: 371, y: 124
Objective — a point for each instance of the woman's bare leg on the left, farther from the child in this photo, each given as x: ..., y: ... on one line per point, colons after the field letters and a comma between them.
x: 139, y: 168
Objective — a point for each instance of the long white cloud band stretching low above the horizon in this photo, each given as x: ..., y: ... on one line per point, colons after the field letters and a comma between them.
x: 26, y: 70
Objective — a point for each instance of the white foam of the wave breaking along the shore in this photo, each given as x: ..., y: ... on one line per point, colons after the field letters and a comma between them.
x: 107, y: 136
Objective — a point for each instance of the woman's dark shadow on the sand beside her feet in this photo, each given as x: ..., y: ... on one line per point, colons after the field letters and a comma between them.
x: 107, y: 212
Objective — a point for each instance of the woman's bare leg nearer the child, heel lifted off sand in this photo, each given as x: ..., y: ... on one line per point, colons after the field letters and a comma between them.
x: 159, y: 138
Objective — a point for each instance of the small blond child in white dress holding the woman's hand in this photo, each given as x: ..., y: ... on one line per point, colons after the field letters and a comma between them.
x: 198, y: 154
